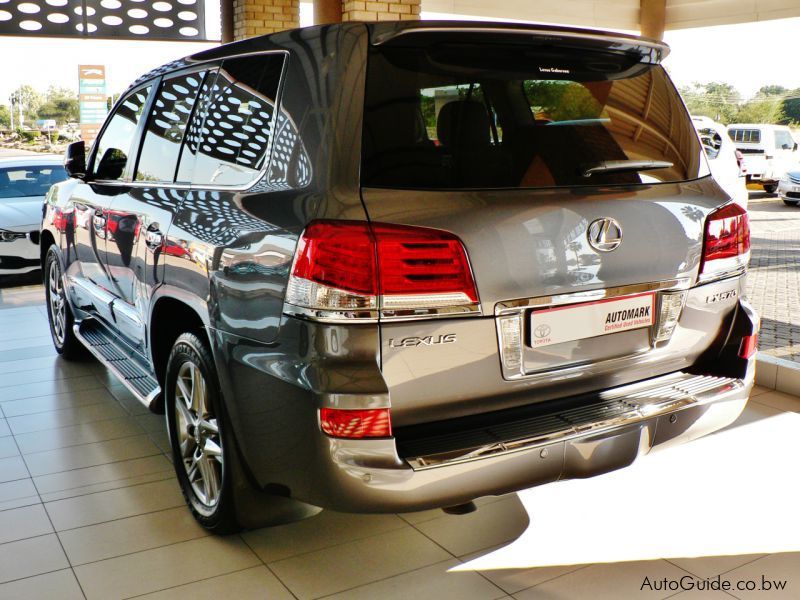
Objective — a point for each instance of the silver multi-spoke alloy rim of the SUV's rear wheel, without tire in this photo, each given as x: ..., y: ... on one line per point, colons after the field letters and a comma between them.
x: 199, y: 441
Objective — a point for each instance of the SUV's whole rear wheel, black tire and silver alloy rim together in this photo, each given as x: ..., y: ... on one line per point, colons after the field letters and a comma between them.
x: 201, y: 450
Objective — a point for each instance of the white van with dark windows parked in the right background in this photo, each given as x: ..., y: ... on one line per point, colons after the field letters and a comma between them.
x: 769, y: 152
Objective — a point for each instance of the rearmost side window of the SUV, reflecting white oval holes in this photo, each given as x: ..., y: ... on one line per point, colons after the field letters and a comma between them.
x: 238, y: 123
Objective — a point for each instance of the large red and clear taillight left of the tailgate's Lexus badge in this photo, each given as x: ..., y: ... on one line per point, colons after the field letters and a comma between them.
x: 349, y: 266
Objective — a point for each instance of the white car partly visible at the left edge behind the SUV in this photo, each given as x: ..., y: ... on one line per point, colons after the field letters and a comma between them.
x: 24, y: 181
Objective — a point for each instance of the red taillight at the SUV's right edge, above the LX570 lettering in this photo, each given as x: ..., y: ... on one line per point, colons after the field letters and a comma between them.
x: 726, y: 244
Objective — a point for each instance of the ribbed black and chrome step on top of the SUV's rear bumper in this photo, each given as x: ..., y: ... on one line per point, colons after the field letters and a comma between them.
x: 425, y: 447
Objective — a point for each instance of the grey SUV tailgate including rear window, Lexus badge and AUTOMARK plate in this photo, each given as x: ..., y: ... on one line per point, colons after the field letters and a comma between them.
x: 573, y: 180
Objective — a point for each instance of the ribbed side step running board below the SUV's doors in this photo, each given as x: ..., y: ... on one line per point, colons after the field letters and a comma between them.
x: 119, y: 359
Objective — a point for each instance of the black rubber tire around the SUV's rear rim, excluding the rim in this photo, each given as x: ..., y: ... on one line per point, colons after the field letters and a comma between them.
x: 190, y: 347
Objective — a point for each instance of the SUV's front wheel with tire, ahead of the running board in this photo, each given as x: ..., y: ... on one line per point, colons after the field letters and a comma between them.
x: 59, y: 313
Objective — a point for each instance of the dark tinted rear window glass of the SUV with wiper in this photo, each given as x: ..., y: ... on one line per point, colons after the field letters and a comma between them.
x: 504, y: 117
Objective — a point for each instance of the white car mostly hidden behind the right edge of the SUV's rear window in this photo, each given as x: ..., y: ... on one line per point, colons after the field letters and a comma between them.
x: 722, y: 157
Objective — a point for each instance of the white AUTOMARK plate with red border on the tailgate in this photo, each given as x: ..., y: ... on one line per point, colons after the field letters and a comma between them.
x: 591, y: 319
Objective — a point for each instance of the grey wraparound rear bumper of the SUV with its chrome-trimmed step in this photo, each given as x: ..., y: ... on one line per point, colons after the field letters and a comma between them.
x: 276, y: 423
